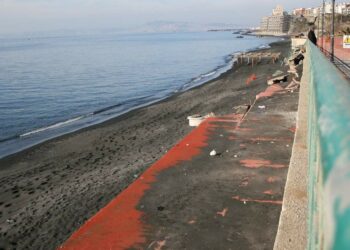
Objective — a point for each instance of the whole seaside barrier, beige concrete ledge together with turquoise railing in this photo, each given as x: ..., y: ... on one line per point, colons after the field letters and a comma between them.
x: 324, y: 108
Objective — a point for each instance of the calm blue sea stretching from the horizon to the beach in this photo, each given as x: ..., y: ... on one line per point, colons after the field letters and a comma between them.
x: 54, y: 85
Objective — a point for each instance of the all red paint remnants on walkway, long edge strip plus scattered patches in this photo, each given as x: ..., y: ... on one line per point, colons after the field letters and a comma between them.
x: 120, y: 224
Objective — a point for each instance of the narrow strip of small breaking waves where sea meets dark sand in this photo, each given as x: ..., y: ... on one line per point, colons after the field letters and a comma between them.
x: 49, y: 138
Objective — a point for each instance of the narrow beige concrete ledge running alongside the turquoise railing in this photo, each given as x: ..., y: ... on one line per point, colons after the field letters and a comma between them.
x: 292, y: 229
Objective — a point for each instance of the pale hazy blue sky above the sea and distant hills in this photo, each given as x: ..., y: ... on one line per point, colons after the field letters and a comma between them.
x: 21, y: 16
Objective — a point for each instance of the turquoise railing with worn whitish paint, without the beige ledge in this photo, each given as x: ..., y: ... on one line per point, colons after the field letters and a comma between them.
x: 329, y: 154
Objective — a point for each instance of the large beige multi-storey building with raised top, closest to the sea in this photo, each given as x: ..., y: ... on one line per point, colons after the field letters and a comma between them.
x: 277, y: 23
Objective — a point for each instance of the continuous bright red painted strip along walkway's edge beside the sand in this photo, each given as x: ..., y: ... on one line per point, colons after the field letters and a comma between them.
x: 118, y: 225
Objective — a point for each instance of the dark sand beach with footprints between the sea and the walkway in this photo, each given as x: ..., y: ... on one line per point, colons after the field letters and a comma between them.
x: 50, y: 190
